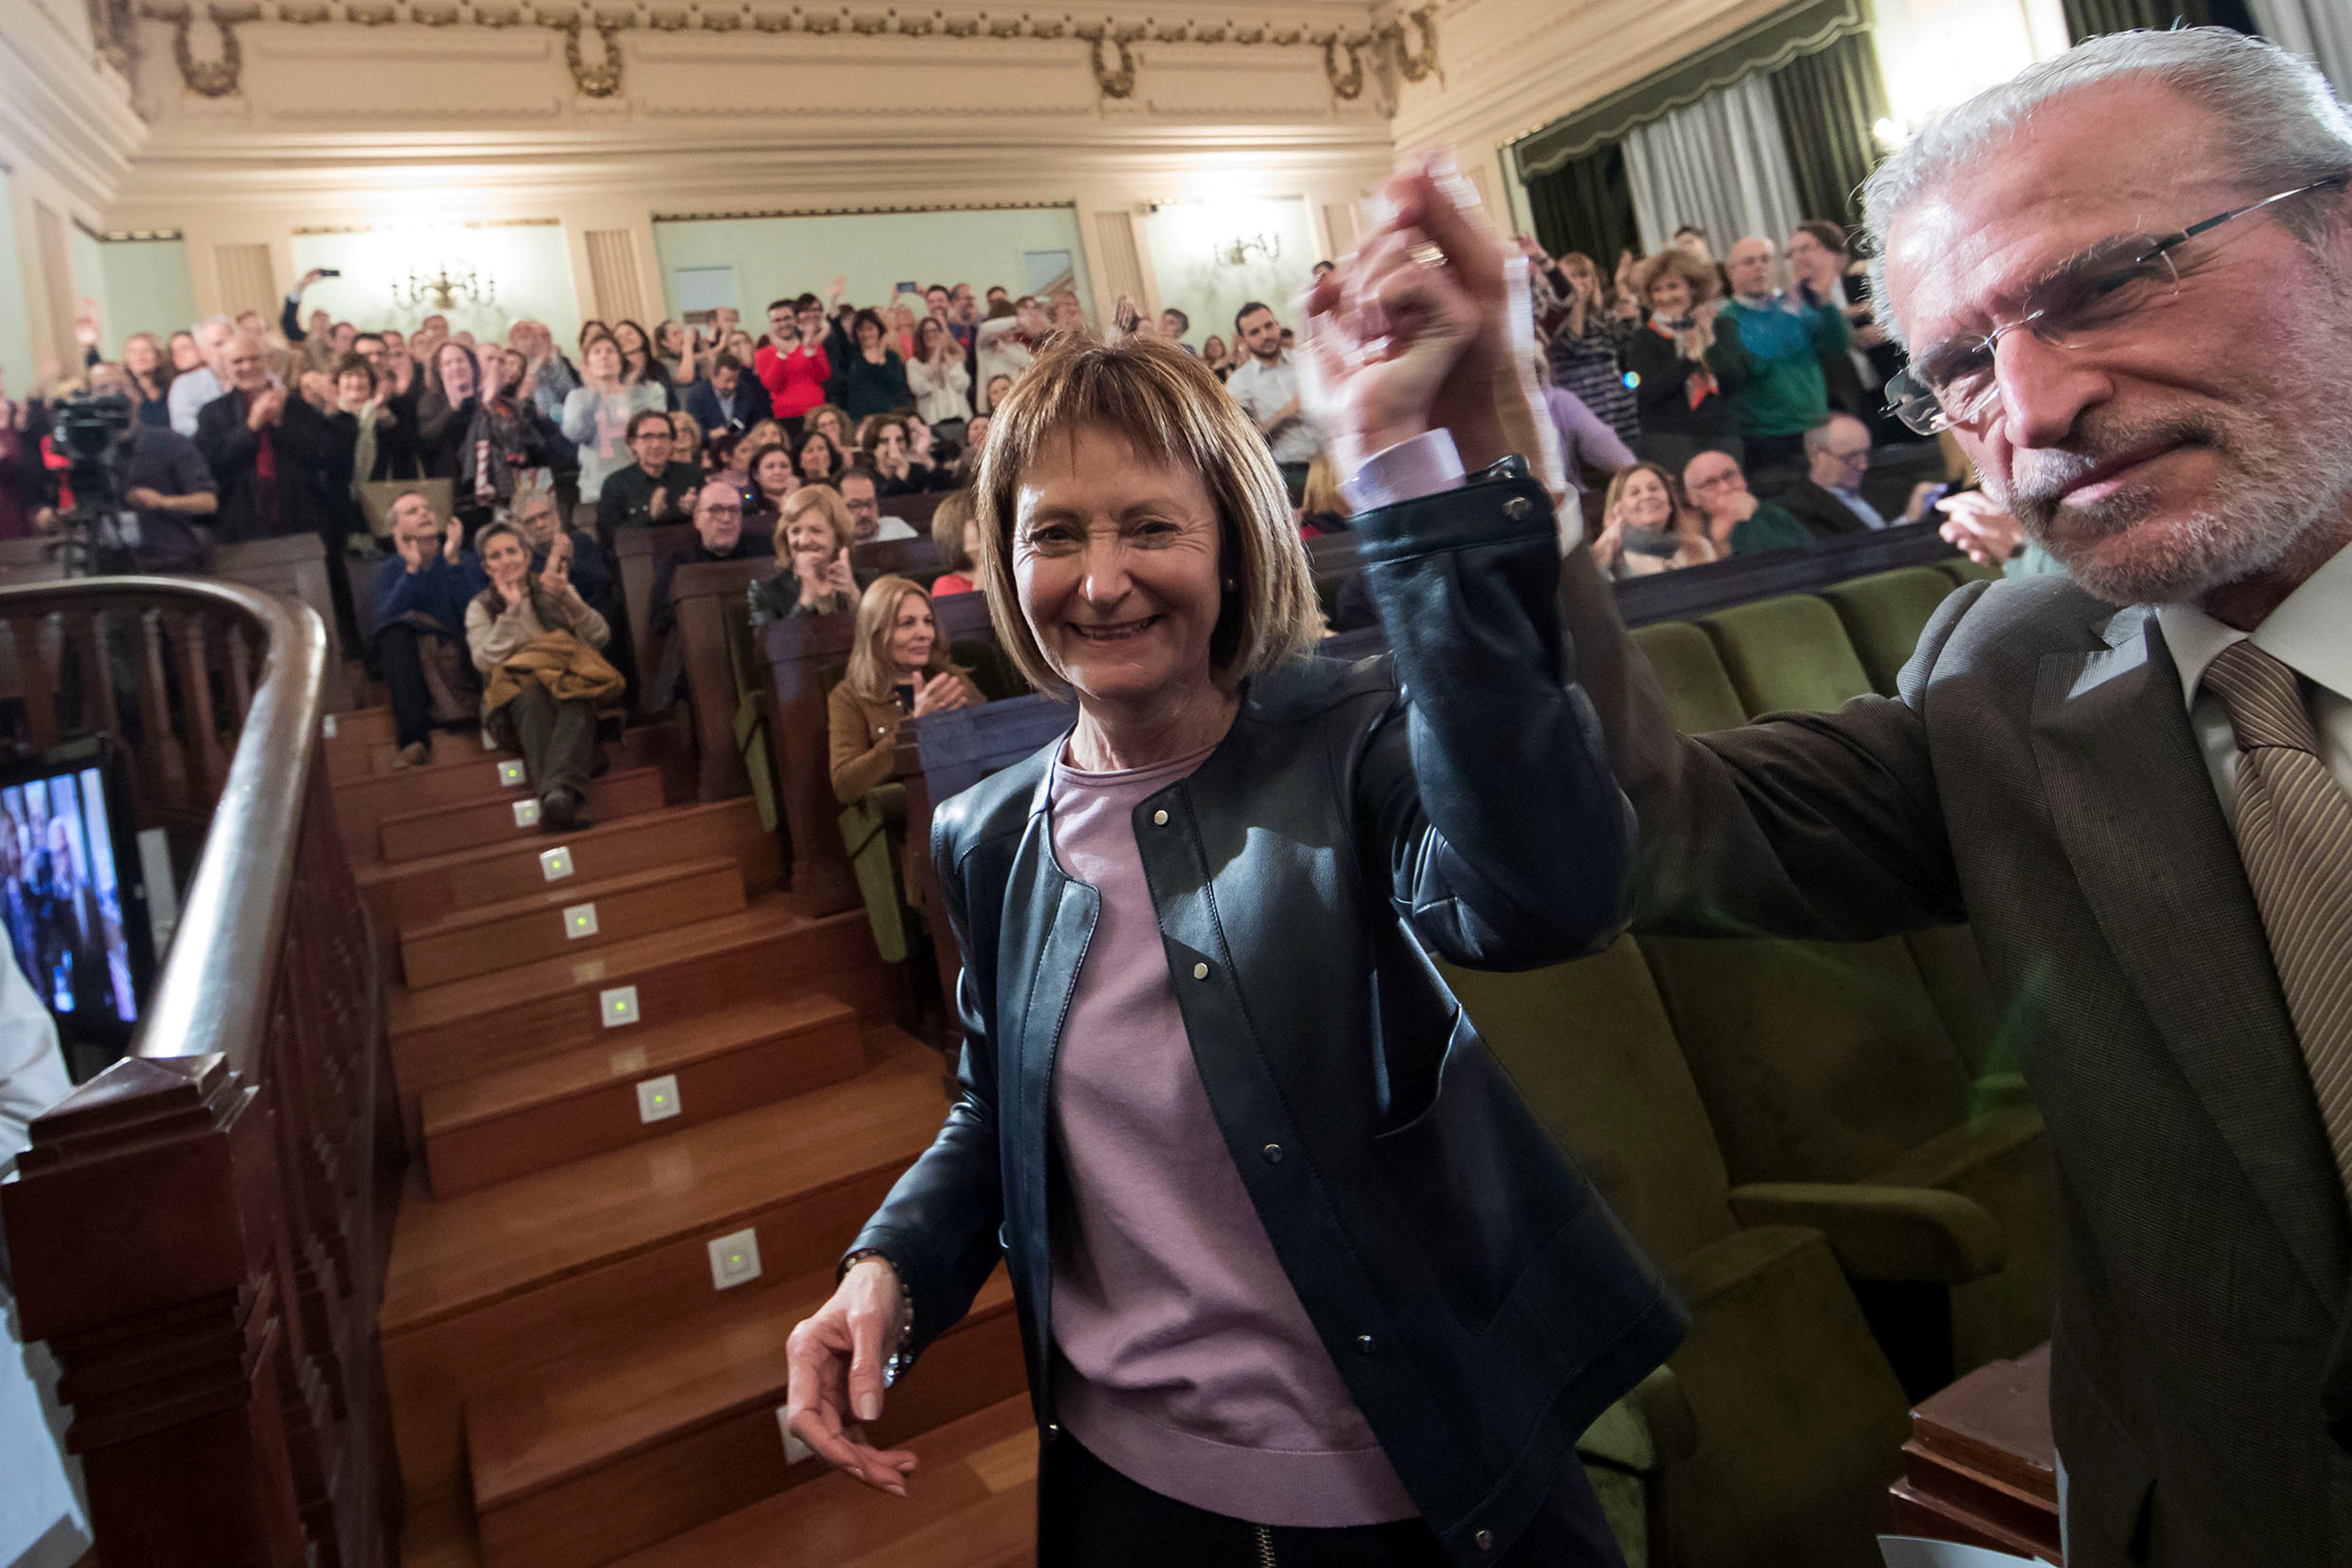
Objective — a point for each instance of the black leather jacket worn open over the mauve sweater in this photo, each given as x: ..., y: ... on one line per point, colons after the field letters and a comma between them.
x: 1448, y: 798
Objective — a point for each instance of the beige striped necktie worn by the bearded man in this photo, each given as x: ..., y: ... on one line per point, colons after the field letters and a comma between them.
x: 2294, y: 833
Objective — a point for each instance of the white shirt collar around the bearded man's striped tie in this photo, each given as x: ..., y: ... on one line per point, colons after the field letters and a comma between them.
x: 2308, y: 634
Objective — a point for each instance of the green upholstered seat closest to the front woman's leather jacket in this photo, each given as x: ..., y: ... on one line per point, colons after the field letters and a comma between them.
x: 1782, y: 1423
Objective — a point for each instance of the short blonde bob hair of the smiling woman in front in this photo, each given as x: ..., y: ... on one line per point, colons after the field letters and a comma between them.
x: 1163, y: 403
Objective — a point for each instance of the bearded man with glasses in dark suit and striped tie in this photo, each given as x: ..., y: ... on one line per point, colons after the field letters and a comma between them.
x: 2125, y: 281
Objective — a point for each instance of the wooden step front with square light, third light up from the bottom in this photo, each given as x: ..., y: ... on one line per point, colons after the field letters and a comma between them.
x: 540, y: 1115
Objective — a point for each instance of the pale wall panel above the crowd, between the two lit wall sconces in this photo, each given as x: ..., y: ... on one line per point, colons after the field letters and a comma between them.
x: 871, y: 253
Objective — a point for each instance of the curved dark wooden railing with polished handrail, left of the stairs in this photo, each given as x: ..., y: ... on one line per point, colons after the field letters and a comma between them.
x: 199, y: 1233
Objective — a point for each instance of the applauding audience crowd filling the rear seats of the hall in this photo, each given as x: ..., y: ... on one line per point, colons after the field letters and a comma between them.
x: 1725, y: 408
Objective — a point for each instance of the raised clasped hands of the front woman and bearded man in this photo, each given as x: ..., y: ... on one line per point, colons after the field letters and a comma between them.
x: 1410, y: 333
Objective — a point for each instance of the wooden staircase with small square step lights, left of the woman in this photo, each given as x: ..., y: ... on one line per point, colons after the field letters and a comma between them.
x: 648, y: 1106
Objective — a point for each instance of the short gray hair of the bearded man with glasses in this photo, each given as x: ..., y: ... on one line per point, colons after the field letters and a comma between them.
x: 2280, y: 123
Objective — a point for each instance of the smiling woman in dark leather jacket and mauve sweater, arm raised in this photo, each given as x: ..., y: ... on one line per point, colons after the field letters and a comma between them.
x: 1299, y: 1278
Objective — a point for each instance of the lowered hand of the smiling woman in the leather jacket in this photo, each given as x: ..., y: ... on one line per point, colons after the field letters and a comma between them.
x: 834, y: 1381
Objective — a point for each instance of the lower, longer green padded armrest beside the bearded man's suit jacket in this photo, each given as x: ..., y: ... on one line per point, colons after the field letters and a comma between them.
x: 1885, y: 1233
